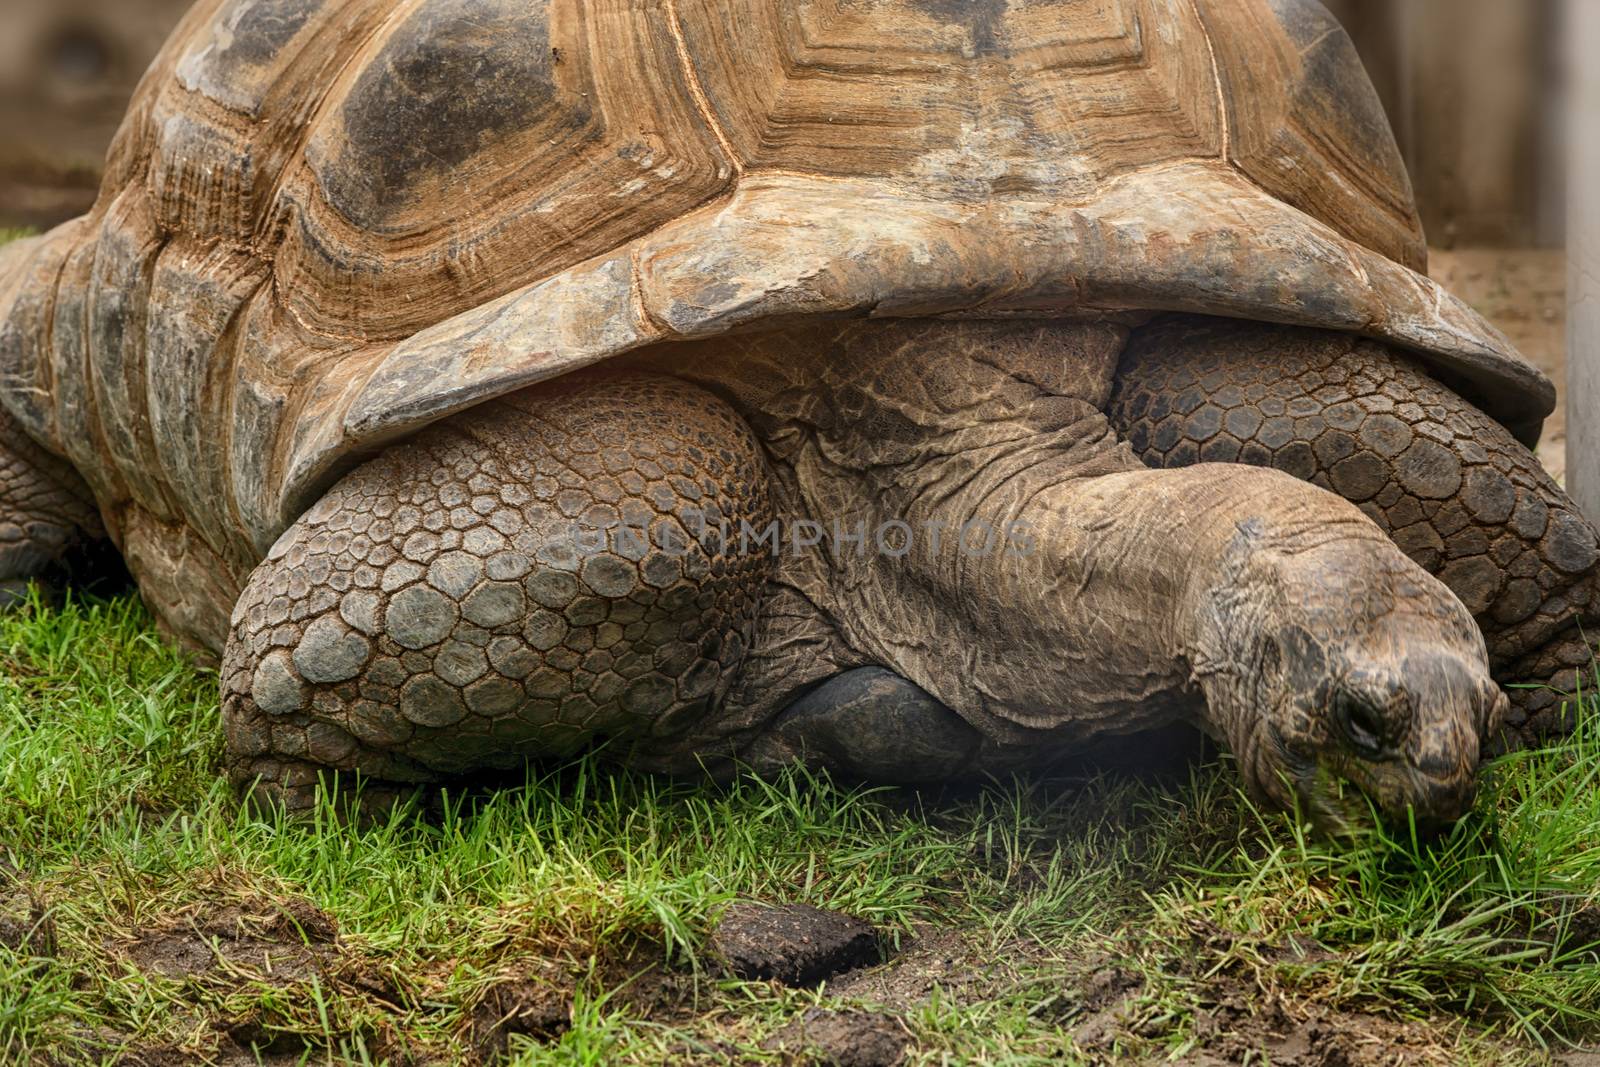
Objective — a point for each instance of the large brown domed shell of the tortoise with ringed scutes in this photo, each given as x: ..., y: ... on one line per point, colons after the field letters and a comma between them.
x: 329, y: 223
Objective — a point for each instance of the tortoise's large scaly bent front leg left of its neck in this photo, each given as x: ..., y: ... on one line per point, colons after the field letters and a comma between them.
x: 521, y: 581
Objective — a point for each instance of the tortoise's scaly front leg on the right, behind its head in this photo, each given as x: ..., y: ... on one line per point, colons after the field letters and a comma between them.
x: 1450, y: 486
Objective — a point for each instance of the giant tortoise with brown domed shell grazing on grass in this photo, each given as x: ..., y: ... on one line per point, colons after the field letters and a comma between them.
x: 908, y: 388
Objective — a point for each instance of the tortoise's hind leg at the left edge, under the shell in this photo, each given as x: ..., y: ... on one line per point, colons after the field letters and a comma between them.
x: 50, y: 529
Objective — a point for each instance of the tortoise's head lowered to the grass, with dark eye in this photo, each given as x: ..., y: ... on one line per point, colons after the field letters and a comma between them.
x: 1346, y: 679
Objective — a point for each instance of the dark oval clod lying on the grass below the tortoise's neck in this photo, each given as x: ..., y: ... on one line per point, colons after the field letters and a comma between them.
x: 794, y: 943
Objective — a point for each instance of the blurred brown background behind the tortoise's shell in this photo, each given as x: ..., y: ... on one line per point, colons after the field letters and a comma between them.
x: 1473, y: 89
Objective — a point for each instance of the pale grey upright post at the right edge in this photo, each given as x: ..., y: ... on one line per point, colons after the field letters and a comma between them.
x: 1583, y: 258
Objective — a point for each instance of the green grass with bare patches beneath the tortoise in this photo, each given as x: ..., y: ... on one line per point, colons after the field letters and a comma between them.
x: 116, y: 828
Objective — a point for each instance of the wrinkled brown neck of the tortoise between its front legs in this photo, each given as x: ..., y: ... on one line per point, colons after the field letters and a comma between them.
x: 975, y: 526
